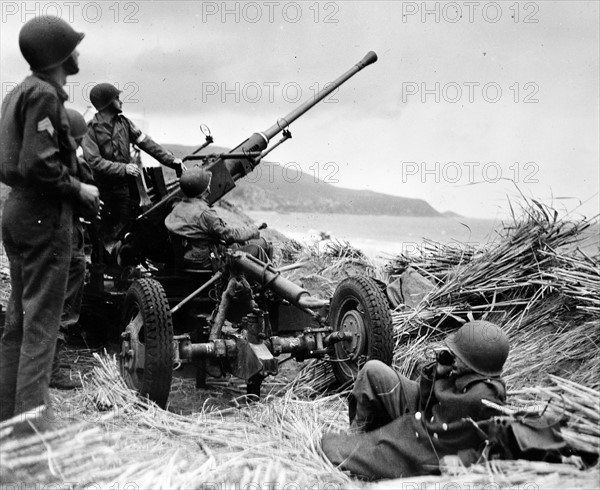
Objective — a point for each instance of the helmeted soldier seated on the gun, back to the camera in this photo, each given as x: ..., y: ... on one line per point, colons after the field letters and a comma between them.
x: 204, y: 232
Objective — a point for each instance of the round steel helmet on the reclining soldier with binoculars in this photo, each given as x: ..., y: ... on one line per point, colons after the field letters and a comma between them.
x: 481, y: 345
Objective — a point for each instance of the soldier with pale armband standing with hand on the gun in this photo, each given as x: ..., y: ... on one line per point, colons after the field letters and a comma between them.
x: 107, y: 149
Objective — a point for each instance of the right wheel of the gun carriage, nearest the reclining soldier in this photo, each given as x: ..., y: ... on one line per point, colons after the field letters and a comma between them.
x: 360, y: 307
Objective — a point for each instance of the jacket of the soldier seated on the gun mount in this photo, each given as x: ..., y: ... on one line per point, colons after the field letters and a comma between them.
x: 203, y: 230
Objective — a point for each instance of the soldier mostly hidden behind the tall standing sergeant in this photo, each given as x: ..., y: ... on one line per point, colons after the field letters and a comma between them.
x: 74, y: 295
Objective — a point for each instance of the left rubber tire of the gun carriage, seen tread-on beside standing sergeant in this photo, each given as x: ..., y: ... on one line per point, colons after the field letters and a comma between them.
x: 148, y: 297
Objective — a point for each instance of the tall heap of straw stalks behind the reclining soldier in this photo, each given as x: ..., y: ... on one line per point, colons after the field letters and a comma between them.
x: 533, y: 279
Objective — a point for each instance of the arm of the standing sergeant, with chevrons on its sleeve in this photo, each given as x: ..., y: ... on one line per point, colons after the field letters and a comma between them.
x: 40, y: 160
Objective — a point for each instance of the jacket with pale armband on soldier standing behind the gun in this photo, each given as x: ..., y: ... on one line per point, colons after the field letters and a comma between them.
x: 107, y: 148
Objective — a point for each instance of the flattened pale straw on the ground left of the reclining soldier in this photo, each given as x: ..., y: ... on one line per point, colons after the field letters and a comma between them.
x: 108, y: 436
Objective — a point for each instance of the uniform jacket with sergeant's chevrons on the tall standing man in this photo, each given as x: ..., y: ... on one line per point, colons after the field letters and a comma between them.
x: 36, y: 148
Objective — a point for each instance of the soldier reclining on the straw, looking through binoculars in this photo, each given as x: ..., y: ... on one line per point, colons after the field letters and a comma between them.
x: 402, y: 428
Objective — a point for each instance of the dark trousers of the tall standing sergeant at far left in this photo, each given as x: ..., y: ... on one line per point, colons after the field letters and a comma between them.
x: 37, y: 235
